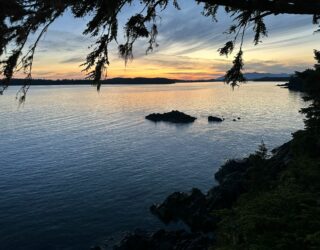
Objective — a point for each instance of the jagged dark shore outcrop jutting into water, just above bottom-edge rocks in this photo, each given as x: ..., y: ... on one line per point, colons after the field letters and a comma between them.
x: 195, y: 208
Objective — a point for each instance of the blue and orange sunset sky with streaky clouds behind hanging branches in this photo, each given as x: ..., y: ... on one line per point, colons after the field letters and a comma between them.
x: 188, y: 44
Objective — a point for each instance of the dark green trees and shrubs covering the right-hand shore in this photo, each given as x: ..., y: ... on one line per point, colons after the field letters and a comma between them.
x: 281, y: 207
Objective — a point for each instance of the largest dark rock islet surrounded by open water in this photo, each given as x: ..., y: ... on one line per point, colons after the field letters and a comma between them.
x: 174, y: 116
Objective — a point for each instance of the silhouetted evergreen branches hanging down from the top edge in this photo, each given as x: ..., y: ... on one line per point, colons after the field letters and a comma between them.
x: 19, y: 19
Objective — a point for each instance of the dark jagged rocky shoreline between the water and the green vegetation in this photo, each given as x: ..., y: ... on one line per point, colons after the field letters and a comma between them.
x: 197, y: 210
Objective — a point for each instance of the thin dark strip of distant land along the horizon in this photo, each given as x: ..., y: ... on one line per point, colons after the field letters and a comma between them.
x: 264, y: 77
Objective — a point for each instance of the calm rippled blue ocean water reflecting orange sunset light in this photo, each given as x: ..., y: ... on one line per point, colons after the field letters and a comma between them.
x: 78, y: 167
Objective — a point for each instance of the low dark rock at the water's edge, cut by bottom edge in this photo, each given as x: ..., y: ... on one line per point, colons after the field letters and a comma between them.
x: 163, y: 240
